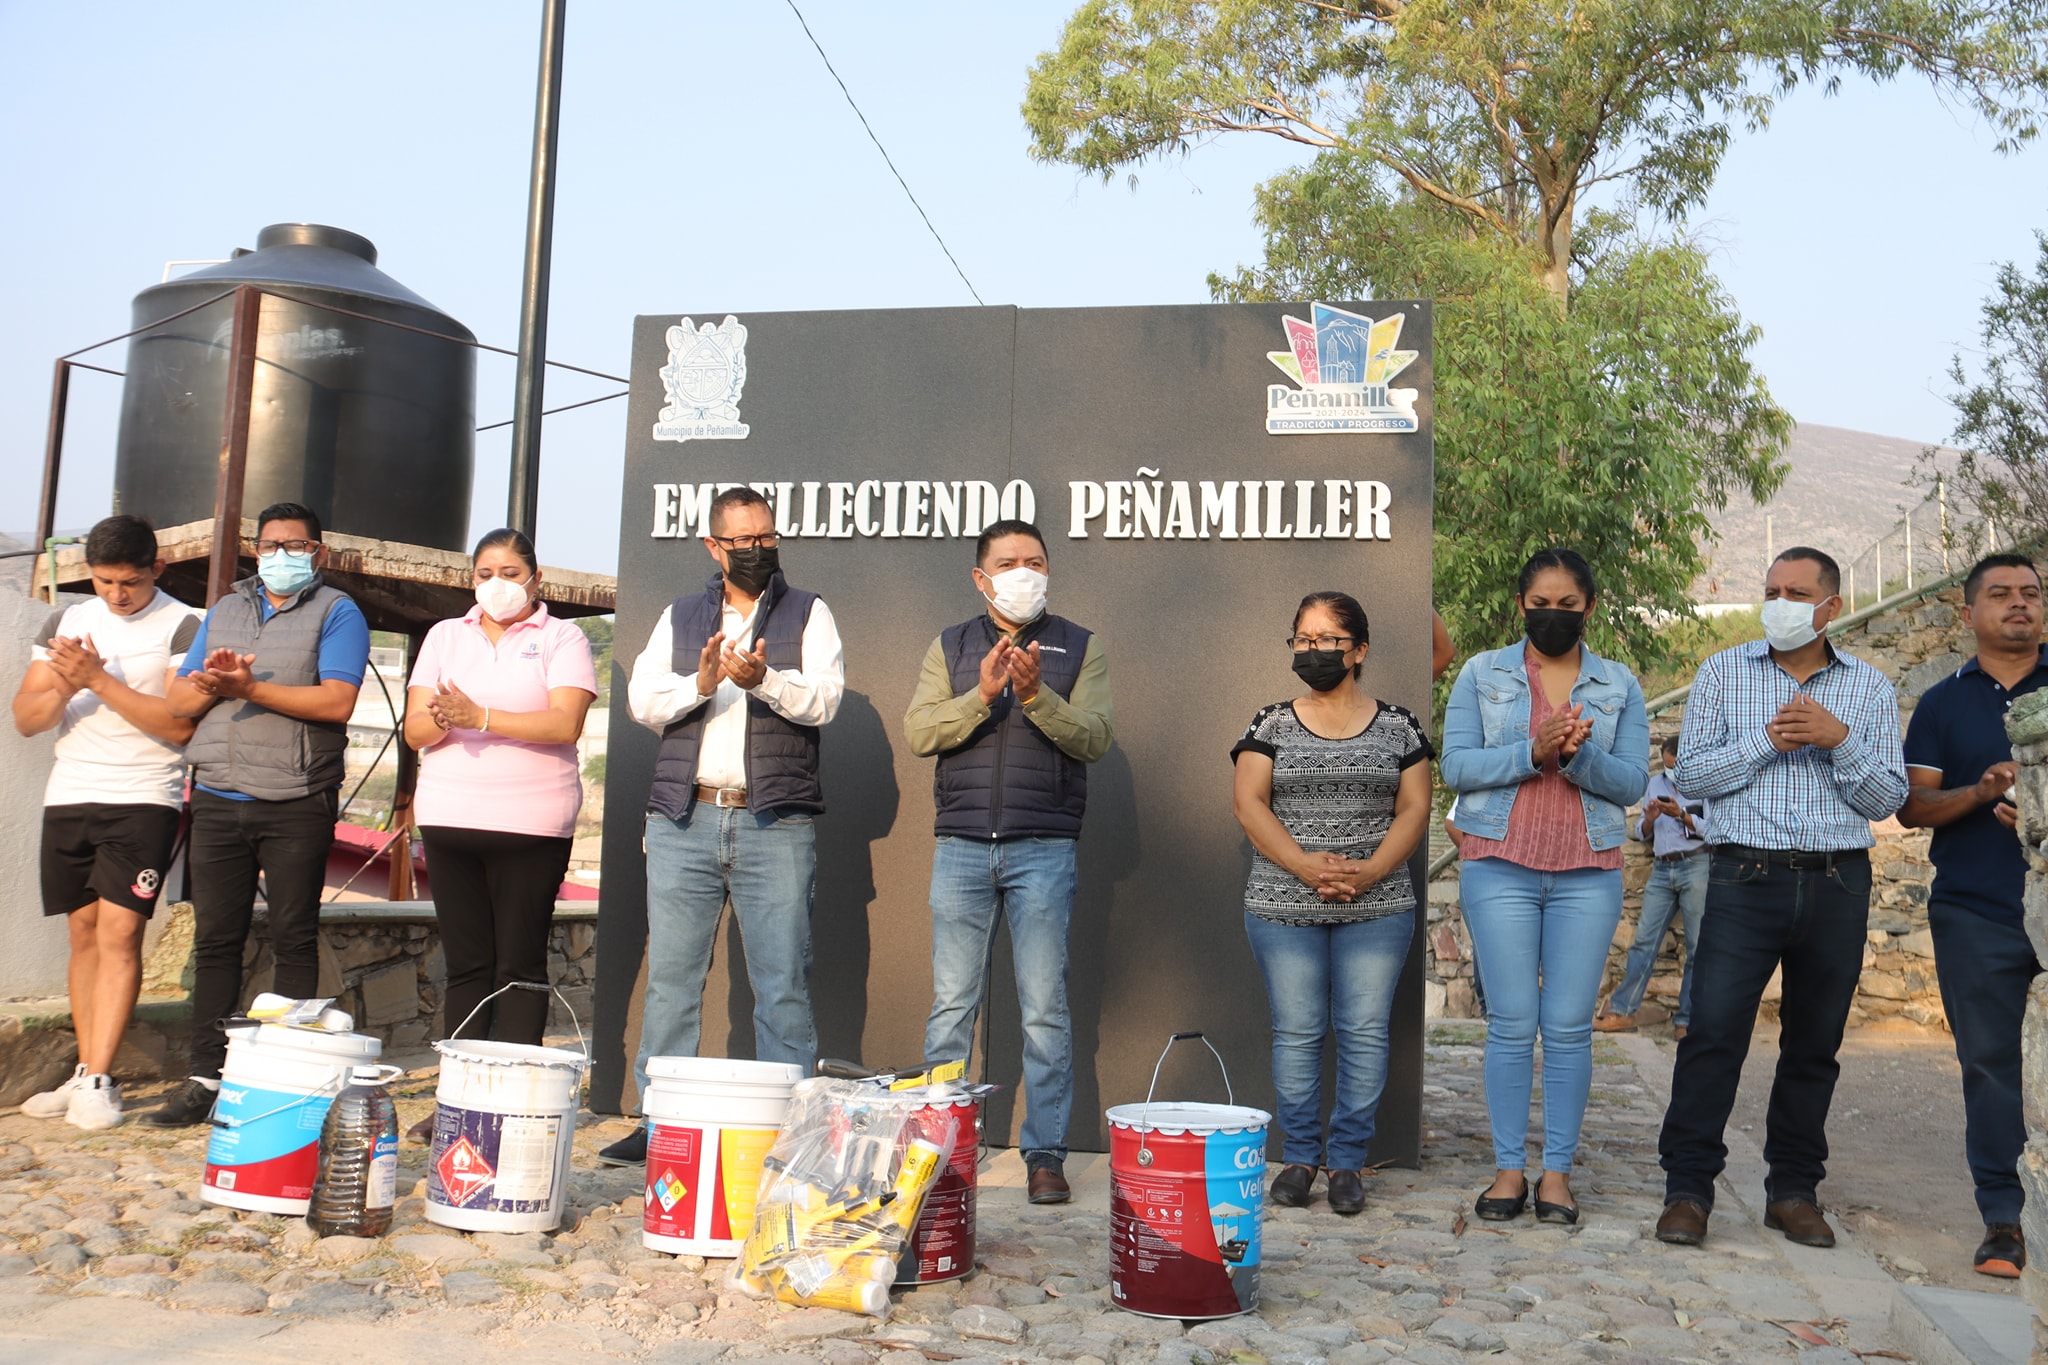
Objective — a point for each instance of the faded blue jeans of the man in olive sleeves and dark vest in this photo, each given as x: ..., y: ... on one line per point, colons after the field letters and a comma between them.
x: 1031, y: 885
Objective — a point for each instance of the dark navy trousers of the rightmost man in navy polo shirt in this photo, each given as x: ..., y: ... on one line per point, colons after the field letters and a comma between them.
x: 1986, y: 969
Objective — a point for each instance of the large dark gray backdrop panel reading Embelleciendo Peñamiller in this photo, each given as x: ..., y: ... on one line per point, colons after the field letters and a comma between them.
x: 1195, y: 470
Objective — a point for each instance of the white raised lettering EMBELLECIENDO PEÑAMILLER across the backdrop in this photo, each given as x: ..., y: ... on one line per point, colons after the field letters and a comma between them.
x: 1113, y: 509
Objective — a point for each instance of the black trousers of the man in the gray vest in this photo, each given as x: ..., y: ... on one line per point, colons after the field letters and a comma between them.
x: 234, y: 840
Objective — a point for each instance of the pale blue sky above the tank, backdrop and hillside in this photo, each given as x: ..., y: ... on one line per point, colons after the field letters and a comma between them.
x: 710, y: 165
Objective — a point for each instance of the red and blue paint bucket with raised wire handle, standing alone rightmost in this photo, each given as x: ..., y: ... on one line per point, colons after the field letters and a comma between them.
x: 1187, y: 1196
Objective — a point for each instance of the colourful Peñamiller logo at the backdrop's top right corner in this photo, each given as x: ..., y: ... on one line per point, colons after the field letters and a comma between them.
x: 1342, y: 363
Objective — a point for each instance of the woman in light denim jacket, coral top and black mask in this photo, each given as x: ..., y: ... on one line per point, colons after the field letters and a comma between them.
x: 1545, y: 746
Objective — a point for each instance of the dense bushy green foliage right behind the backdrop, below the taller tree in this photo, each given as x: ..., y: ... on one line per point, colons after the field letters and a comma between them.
x: 1611, y: 427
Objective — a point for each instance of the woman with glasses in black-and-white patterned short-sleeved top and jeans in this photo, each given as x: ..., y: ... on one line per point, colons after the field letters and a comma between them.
x: 1334, y: 793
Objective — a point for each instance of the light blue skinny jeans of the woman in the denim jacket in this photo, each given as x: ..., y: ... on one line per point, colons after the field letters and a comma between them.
x: 1543, y: 942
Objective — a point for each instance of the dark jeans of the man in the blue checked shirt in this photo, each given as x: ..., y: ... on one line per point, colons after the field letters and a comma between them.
x: 1762, y: 916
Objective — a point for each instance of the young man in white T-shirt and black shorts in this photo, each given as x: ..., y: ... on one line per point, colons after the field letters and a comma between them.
x: 112, y: 807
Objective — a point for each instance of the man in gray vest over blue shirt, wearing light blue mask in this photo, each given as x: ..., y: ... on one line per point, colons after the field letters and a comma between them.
x: 271, y: 678
